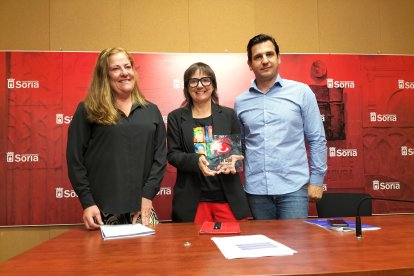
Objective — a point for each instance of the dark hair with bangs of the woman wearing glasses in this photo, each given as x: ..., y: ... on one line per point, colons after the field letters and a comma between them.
x: 204, y: 68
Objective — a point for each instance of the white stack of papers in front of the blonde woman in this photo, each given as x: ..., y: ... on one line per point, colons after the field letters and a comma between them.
x: 125, y: 231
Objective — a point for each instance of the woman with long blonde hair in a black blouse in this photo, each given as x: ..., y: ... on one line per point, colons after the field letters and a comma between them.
x: 116, y: 152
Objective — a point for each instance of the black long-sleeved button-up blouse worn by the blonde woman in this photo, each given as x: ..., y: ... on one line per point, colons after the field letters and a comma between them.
x: 114, y: 166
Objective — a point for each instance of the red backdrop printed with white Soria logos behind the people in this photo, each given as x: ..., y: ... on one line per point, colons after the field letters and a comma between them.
x: 366, y: 102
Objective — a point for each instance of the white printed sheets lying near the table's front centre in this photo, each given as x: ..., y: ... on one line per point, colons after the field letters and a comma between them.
x: 250, y: 246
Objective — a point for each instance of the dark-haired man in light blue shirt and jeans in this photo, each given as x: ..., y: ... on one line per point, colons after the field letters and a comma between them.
x: 277, y: 116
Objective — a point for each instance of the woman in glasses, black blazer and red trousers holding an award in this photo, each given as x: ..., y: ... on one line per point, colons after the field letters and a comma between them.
x: 200, y: 193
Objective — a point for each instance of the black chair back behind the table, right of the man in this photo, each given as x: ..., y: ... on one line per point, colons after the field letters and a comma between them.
x: 343, y: 205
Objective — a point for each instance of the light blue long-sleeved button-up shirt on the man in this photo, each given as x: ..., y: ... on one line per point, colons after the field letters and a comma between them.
x: 274, y: 127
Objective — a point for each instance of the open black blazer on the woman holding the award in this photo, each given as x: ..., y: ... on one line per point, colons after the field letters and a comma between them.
x: 181, y: 154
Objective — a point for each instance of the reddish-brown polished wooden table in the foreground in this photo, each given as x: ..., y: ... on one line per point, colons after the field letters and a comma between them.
x: 389, y: 250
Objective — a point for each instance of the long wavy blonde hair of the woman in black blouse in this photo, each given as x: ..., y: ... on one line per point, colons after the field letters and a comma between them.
x: 100, y: 102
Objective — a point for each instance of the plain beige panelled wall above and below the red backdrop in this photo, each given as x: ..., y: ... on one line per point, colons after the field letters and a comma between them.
x: 217, y: 26
